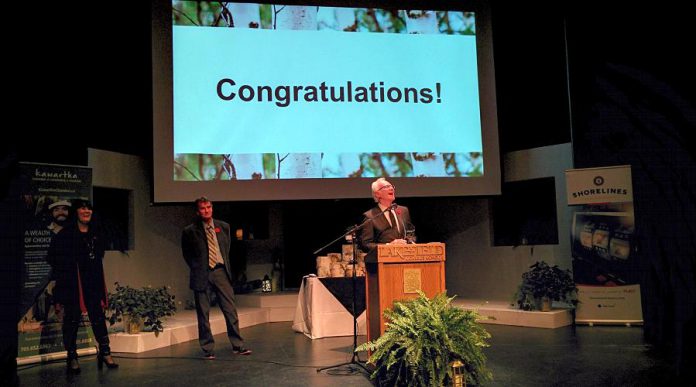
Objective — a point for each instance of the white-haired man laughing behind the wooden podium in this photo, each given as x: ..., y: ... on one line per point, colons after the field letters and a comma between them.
x: 389, y: 221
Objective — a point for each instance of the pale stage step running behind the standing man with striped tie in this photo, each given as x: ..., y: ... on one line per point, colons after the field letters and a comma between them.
x: 252, y: 309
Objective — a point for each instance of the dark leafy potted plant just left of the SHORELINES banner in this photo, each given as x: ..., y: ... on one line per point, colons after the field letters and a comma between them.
x: 542, y: 284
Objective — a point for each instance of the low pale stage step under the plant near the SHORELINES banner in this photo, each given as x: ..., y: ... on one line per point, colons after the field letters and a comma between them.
x: 505, y: 314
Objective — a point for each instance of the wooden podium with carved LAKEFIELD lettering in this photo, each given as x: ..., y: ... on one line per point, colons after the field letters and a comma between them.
x: 396, y: 272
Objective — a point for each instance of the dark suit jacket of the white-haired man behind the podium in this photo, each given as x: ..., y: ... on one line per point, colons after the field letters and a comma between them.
x: 379, y: 230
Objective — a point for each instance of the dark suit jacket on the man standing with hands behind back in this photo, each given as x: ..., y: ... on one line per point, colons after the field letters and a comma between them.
x: 194, y: 246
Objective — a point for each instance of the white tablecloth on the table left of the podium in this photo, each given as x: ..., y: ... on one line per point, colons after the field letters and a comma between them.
x: 319, y: 314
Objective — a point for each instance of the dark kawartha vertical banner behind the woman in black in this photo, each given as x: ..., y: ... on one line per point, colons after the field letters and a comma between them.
x: 47, y: 192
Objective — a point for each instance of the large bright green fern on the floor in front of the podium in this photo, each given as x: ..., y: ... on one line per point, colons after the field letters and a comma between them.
x: 422, y: 338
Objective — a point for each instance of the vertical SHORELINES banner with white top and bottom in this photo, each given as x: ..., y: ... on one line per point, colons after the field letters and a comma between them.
x: 604, y: 263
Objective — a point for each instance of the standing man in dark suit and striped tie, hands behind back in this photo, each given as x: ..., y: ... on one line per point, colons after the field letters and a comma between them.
x: 205, y: 245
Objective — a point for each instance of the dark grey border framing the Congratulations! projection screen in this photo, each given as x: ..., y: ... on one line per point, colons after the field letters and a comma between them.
x: 167, y: 190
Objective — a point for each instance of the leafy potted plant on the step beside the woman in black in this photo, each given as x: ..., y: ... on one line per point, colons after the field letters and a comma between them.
x: 135, y: 307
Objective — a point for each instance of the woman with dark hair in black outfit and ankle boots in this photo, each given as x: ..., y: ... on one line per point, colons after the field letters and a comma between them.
x: 75, y: 256
